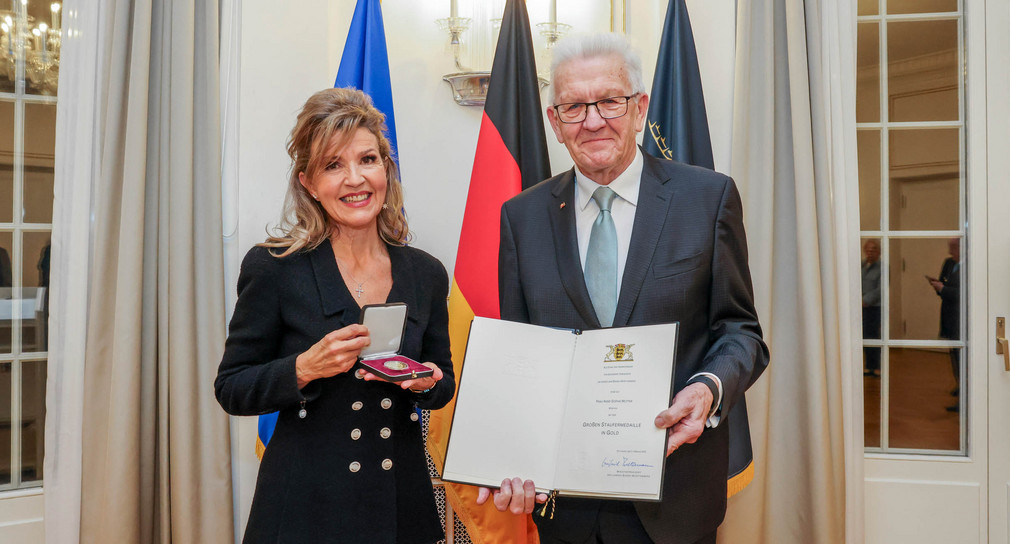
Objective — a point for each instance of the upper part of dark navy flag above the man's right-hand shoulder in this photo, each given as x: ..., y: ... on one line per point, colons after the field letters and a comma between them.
x: 677, y: 123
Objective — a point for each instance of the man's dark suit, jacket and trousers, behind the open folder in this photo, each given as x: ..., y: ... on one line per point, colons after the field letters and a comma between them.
x: 687, y: 263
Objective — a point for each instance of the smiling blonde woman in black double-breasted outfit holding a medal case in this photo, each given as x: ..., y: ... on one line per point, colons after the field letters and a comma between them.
x: 346, y: 463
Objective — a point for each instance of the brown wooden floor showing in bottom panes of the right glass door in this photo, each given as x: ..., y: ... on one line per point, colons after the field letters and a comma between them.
x: 921, y: 384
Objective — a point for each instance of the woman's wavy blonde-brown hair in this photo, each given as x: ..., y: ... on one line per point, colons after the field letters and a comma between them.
x: 327, y: 123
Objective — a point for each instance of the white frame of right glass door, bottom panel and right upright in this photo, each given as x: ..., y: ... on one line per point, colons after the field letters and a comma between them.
x: 945, y: 499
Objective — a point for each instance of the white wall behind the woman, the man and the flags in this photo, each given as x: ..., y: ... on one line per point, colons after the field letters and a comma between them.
x: 288, y: 55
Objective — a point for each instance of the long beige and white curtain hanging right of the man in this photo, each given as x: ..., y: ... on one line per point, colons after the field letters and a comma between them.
x: 794, y: 154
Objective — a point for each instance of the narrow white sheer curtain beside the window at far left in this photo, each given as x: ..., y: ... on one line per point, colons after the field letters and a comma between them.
x: 76, y: 169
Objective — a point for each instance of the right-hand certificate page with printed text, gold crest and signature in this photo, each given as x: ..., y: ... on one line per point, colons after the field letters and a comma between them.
x: 622, y: 379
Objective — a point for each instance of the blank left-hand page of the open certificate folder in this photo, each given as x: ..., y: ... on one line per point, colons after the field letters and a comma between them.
x: 511, y: 404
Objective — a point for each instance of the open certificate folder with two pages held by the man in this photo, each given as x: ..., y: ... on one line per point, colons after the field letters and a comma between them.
x: 573, y: 411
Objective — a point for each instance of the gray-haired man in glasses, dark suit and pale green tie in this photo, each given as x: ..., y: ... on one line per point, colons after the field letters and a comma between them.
x: 624, y: 240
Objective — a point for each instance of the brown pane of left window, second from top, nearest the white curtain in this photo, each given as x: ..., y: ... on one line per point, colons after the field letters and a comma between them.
x: 40, y: 148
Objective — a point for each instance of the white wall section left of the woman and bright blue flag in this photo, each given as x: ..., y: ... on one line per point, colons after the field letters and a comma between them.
x: 283, y: 60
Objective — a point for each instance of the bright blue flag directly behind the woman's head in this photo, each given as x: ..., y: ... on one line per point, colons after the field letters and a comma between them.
x: 364, y: 66
